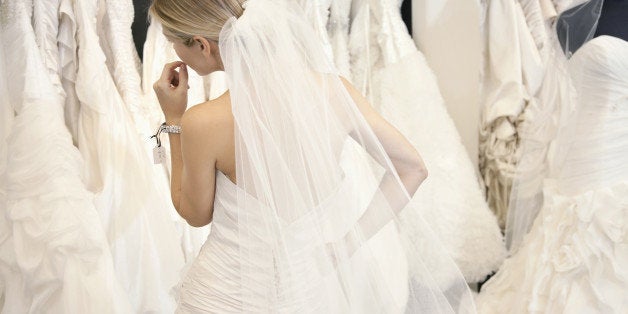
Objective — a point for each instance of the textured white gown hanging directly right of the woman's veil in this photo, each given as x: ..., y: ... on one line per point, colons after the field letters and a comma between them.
x: 388, y: 67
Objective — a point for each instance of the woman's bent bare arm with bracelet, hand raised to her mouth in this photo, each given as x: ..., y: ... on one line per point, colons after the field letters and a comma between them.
x: 193, y: 160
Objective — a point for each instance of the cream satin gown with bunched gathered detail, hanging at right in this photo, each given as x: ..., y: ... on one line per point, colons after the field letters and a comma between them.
x: 512, y: 76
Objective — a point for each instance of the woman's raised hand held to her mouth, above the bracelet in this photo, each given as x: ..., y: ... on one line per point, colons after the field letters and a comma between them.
x: 172, y: 90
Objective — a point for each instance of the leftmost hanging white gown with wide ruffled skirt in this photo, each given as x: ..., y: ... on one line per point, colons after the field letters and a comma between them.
x: 52, y: 242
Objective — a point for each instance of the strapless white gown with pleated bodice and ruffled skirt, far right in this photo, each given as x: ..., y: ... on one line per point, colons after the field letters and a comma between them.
x: 573, y: 259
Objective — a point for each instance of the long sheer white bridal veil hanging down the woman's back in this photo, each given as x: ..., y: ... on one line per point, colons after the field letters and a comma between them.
x: 305, y: 182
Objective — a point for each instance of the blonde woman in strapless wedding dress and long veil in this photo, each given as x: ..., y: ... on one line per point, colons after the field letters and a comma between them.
x: 301, y: 178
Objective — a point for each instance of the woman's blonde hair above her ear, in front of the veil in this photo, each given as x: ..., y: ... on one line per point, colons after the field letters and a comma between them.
x: 184, y: 19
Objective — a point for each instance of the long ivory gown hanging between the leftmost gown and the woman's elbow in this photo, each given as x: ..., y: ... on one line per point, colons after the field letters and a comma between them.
x: 146, y: 252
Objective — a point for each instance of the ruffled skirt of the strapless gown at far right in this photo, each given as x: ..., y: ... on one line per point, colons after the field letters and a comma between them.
x: 573, y: 260
